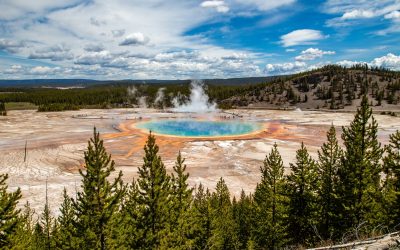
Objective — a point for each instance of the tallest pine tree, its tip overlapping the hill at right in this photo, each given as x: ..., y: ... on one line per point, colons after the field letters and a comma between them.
x: 360, y: 176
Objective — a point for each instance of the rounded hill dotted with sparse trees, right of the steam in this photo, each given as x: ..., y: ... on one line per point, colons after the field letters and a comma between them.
x: 330, y: 87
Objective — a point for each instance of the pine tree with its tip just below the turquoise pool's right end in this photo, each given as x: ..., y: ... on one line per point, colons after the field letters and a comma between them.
x: 270, y: 203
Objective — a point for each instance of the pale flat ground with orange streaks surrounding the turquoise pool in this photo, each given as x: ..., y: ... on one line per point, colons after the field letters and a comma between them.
x: 56, y: 142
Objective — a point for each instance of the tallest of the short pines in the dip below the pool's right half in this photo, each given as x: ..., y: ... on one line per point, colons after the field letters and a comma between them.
x: 223, y: 227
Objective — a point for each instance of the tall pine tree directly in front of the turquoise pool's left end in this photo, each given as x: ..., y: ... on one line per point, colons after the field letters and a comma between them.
x: 154, y: 195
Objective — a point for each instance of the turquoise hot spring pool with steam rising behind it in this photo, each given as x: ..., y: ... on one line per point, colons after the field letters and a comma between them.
x: 195, y: 128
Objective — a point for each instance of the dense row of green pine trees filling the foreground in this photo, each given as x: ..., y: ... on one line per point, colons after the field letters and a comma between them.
x: 346, y: 194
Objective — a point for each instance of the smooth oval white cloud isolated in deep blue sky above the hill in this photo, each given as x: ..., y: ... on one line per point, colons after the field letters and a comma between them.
x: 301, y: 37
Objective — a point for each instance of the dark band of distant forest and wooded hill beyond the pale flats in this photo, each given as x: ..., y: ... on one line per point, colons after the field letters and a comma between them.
x: 341, y: 86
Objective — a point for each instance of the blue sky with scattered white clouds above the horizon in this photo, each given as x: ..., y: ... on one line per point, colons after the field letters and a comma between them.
x: 182, y: 39
